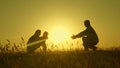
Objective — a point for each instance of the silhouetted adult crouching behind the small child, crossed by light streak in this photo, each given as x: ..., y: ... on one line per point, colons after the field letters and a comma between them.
x: 33, y: 42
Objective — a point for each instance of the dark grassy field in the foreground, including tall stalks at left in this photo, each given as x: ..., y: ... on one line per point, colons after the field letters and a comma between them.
x: 15, y: 56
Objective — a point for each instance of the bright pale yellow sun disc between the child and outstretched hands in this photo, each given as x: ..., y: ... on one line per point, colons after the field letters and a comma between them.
x: 59, y: 35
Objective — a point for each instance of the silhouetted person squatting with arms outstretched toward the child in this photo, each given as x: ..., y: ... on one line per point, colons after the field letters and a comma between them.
x: 89, y: 36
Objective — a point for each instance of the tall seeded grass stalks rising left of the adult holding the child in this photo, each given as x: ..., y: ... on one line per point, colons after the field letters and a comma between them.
x: 13, y: 47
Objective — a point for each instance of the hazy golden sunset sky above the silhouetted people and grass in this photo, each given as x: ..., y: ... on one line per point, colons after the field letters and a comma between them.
x: 21, y: 18
